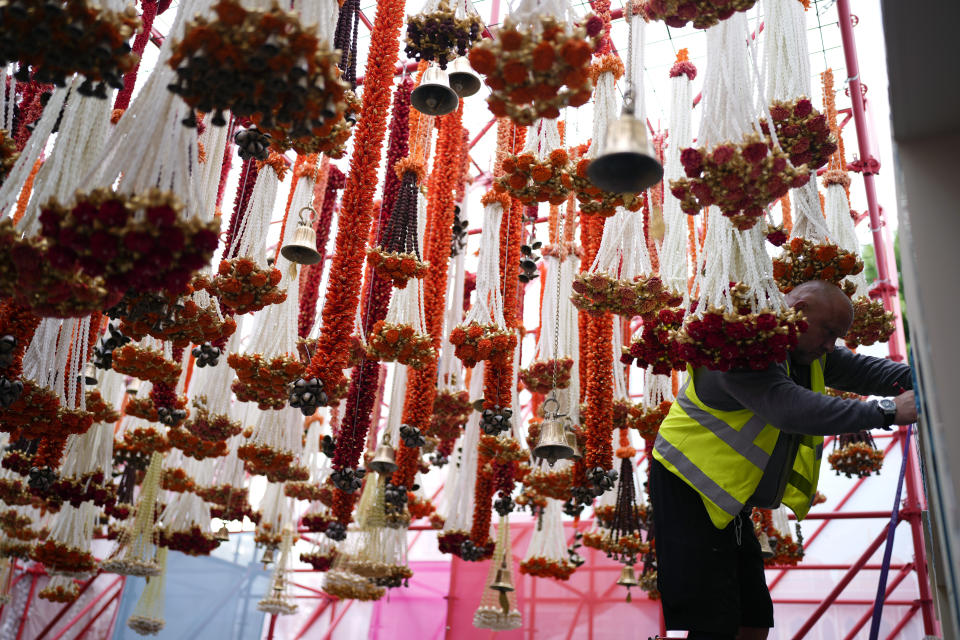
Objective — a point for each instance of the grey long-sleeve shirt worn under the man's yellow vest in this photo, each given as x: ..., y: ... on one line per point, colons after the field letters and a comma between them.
x: 786, y: 401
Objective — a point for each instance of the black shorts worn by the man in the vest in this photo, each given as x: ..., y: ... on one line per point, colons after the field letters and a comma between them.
x: 709, y: 583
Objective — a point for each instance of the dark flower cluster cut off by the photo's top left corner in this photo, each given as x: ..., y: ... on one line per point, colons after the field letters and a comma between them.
x: 82, y: 37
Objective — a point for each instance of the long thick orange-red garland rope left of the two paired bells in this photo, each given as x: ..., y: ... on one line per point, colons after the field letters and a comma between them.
x: 344, y: 291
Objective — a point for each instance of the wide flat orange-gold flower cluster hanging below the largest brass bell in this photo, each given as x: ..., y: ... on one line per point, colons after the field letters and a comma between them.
x: 599, y: 293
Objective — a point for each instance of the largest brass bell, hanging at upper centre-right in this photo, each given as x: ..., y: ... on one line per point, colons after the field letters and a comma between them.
x: 626, y: 163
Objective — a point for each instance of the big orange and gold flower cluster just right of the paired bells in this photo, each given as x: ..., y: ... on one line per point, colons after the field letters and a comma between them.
x: 534, y: 72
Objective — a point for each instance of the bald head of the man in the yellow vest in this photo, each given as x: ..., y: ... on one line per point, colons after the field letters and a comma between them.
x: 828, y: 313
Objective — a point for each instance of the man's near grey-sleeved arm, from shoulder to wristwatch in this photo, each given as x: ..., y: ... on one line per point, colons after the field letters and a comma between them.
x: 776, y: 398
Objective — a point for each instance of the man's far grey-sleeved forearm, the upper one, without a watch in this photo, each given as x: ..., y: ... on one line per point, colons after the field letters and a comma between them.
x: 866, y: 375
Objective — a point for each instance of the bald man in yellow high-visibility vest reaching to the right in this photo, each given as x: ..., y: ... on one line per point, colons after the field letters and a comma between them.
x: 744, y: 439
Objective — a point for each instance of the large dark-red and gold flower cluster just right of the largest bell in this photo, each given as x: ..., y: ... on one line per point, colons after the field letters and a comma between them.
x: 740, y: 179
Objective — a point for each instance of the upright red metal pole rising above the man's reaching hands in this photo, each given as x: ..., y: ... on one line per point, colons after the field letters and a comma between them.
x: 886, y: 285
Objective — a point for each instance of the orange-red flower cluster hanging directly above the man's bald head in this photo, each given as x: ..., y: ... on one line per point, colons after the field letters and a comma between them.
x: 803, y: 261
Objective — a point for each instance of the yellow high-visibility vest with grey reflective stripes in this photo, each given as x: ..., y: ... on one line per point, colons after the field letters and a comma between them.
x: 722, y: 454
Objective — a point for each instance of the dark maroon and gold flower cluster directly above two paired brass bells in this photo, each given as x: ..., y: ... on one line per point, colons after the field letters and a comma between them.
x: 442, y: 33
